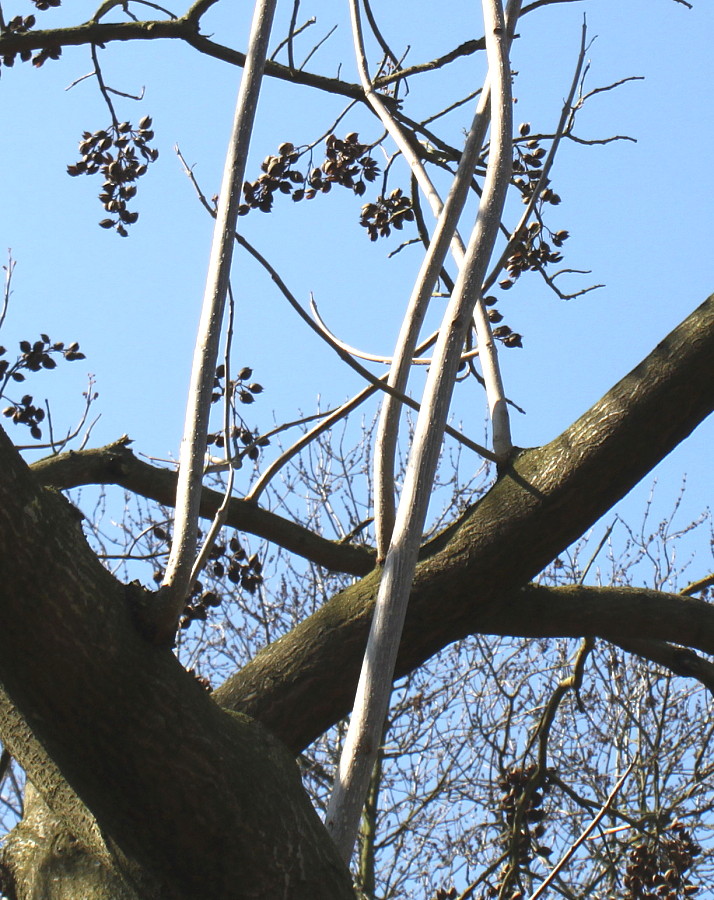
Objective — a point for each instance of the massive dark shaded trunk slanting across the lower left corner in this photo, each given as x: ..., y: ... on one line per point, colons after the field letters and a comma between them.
x: 204, y: 801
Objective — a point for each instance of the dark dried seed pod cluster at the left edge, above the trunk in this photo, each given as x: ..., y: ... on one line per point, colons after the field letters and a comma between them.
x: 33, y: 357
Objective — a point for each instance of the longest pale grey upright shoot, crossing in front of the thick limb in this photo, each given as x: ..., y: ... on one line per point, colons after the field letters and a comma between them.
x: 374, y: 688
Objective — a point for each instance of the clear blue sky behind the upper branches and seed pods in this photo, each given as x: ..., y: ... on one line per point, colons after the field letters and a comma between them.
x: 639, y: 215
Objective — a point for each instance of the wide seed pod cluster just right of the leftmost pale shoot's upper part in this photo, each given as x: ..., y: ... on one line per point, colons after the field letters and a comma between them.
x: 347, y: 163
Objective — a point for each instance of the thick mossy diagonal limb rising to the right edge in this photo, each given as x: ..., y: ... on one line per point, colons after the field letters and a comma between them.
x: 471, y: 577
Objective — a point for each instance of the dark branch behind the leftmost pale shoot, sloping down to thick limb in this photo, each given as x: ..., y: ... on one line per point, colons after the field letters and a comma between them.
x: 116, y: 464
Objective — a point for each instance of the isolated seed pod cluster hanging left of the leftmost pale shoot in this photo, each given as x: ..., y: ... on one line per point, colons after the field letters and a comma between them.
x: 122, y: 155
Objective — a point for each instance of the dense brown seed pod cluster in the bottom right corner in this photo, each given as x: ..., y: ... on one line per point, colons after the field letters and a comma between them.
x: 656, y: 869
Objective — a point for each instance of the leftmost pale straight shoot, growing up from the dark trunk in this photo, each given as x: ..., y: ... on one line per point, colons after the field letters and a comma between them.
x: 193, y: 444
